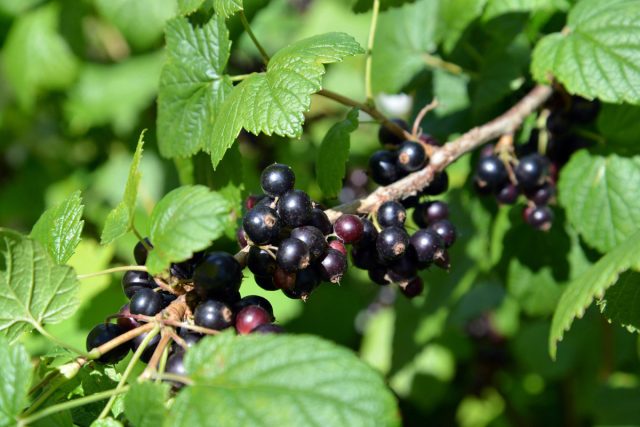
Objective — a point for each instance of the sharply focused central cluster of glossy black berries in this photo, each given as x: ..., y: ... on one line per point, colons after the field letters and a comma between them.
x: 288, y: 235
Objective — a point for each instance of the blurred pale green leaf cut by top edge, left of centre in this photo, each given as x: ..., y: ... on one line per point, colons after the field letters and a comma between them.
x: 140, y: 21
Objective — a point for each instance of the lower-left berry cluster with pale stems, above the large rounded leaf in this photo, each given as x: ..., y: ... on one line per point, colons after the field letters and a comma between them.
x: 213, y: 281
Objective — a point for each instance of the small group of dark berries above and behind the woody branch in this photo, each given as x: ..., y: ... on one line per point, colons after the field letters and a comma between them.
x: 403, y: 157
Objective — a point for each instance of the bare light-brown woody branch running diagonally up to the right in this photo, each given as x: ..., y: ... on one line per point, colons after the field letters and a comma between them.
x: 441, y: 157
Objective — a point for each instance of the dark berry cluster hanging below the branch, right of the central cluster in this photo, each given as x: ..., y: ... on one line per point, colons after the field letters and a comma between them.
x: 391, y: 255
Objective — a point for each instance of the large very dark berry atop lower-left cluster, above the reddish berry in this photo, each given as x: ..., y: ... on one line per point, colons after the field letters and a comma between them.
x: 218, y: 275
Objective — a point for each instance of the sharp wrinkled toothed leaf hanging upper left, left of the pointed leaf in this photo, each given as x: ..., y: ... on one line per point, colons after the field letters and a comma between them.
x: 192, y: 85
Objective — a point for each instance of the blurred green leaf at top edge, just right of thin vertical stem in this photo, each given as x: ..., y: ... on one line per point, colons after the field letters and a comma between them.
x: 403, y: 37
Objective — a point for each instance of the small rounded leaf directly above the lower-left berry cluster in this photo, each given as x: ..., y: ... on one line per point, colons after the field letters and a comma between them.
x: 185, y: 221
